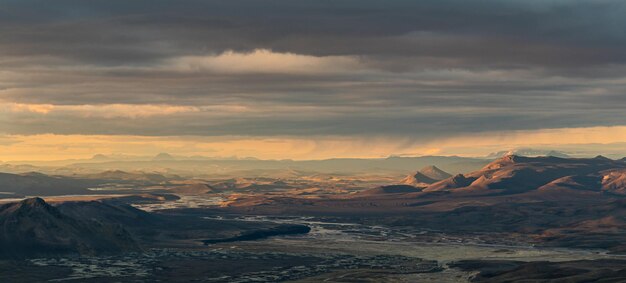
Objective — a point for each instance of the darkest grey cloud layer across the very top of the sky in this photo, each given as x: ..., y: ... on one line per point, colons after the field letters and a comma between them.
x: 552, y: 33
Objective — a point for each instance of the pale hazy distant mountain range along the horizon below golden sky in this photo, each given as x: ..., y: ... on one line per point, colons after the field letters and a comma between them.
x: 198, y: 166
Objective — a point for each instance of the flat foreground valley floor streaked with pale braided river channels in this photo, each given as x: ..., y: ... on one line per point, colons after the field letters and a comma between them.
x: 332, y: 252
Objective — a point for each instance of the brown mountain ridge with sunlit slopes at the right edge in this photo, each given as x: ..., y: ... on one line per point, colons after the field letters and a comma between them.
x: 513, y: 174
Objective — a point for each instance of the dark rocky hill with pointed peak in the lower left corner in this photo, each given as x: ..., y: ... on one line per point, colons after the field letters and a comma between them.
x: 33, y: 227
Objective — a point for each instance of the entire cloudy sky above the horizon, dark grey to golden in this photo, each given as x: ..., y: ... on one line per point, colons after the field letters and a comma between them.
x: 310, y: 79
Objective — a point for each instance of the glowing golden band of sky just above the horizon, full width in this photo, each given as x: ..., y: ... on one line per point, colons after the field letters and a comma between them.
x: 55, y: 147
